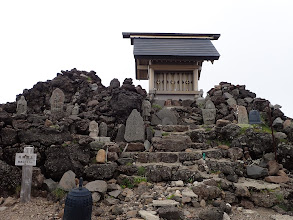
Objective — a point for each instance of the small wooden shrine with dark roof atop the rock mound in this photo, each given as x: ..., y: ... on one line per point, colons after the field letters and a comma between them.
x: 172, y: 61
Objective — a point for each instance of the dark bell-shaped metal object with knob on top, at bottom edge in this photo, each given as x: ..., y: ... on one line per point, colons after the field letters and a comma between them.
x: 78, y: 204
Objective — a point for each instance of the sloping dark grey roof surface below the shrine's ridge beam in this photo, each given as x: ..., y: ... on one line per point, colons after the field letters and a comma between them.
x: 201, y: 48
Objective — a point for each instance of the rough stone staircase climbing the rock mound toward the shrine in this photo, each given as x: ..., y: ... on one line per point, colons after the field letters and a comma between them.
x: 174, y: 156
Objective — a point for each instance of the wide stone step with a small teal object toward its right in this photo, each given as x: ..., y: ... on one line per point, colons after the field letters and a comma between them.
x: 174, y: 157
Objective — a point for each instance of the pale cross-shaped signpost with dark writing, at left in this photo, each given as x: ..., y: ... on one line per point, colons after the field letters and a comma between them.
x: 27, y: 160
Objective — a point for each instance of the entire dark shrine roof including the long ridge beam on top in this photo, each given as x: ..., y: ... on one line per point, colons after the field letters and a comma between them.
x: 174, y: 45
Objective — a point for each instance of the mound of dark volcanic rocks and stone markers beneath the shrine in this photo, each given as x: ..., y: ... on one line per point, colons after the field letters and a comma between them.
x: 149, y: 158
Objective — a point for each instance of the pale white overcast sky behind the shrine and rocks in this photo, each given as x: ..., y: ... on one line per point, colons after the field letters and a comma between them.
x: 38, y: 39
